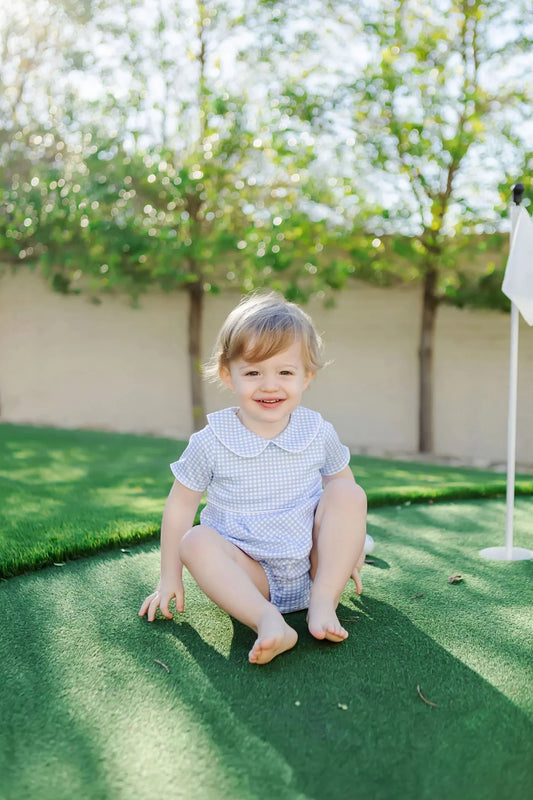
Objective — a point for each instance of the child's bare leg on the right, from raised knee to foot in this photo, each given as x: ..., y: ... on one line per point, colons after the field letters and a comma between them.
x: 338, y: 541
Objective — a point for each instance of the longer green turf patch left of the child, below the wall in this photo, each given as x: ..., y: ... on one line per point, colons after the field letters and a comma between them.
x: 67, y: 493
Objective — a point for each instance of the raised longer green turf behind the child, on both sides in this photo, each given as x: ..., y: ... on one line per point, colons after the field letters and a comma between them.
x: 69, y: 493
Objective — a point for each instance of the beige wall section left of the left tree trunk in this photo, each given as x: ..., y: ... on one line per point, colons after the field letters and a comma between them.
x: 67, y: 362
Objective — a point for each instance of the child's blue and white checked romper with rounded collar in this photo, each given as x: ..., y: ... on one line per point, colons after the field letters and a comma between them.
x: 262, y: 493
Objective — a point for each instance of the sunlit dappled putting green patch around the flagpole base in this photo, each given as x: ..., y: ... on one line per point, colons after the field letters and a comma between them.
x: 488, y: 613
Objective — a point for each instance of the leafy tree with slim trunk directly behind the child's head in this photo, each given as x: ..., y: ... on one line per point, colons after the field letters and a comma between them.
x: 189, y: 187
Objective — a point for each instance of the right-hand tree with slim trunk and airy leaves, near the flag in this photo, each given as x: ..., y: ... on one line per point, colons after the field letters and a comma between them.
x: 438, y: 110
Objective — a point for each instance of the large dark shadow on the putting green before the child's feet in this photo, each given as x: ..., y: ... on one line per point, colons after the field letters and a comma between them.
x: 352, y: 717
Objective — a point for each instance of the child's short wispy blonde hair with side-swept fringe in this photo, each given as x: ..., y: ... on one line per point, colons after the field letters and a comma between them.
x: 262, y: 325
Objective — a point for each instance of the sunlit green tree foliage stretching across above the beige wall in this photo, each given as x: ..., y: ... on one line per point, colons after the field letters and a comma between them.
x: 292, y: 167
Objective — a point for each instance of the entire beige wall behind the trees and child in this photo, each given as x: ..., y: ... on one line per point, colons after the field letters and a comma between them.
x: 67, y: 362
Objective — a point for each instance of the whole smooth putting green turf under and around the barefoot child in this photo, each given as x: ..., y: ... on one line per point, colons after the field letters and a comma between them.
x: 87, y: 711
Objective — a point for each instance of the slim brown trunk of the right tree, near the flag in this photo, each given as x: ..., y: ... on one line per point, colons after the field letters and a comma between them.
x: 425, y: 355
